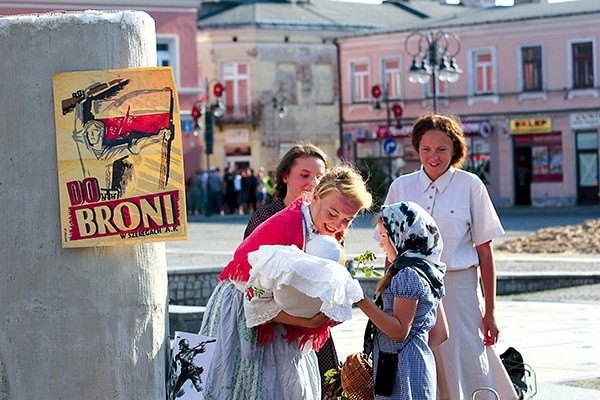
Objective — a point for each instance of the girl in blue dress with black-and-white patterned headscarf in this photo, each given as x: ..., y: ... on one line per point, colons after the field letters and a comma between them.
x: 408, y: 316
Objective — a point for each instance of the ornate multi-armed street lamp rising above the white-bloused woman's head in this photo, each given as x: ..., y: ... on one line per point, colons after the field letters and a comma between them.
x: 432, y: 57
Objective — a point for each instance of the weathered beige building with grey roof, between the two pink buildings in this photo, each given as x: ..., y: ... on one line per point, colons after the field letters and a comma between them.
x: 280, y: 56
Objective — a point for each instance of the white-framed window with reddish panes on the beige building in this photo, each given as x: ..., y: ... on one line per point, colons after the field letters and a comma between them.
x: 236, y: 78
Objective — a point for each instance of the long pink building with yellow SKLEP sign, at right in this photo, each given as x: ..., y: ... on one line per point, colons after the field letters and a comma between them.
x: 528, y: 96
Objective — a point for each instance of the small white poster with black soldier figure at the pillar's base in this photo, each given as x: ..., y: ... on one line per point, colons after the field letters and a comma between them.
x: 190, y: 362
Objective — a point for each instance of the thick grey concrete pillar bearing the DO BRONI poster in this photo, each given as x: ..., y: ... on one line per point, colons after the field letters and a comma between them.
x: 74, y: 323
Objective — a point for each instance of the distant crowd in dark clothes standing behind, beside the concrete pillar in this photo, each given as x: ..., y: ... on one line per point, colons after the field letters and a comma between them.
x: 232, y: 191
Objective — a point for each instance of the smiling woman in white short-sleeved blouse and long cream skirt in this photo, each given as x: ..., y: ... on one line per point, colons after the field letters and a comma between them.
x: 462, y: 209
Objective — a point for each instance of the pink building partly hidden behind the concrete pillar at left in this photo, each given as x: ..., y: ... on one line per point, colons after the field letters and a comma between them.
x: 175, y: 44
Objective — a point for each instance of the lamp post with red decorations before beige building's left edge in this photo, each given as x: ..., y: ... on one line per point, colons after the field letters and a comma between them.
x: 210, y: 112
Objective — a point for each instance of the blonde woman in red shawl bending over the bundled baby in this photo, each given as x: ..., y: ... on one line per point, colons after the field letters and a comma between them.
x: 260, y: 363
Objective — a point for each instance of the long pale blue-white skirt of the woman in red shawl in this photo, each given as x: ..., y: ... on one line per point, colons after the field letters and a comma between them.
x: 243, y: 370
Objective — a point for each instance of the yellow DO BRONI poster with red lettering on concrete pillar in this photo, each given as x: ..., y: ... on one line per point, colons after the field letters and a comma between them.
x: 120, y: 158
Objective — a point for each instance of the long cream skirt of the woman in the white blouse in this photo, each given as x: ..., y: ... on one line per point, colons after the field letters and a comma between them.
x: 463, y: 363
